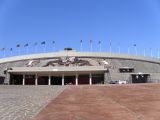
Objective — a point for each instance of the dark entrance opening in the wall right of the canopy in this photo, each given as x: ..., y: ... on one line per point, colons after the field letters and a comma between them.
x: 140, y: 78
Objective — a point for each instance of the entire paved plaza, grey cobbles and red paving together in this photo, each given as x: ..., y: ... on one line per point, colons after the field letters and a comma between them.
x: 103, y: 102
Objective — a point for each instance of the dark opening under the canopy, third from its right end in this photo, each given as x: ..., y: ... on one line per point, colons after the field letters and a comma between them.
x: 69, y: 80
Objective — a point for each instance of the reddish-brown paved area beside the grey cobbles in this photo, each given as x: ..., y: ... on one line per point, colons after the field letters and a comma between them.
x: 110, y: 102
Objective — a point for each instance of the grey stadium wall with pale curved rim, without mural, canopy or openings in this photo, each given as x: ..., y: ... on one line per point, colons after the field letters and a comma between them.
x: 115, y: 61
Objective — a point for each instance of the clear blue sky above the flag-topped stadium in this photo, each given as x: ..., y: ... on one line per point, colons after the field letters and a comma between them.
x: 66, y: 22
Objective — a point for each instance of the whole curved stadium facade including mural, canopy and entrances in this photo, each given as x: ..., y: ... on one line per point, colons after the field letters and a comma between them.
x: 71, y: 67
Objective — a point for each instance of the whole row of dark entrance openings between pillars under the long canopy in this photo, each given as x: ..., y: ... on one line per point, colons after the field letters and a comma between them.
x: 59, y: 79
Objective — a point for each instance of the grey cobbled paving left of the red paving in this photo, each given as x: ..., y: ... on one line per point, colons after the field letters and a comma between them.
x: 24, y: 102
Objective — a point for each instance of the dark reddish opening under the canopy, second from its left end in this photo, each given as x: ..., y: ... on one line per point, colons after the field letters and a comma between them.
x: 29, y: 79
